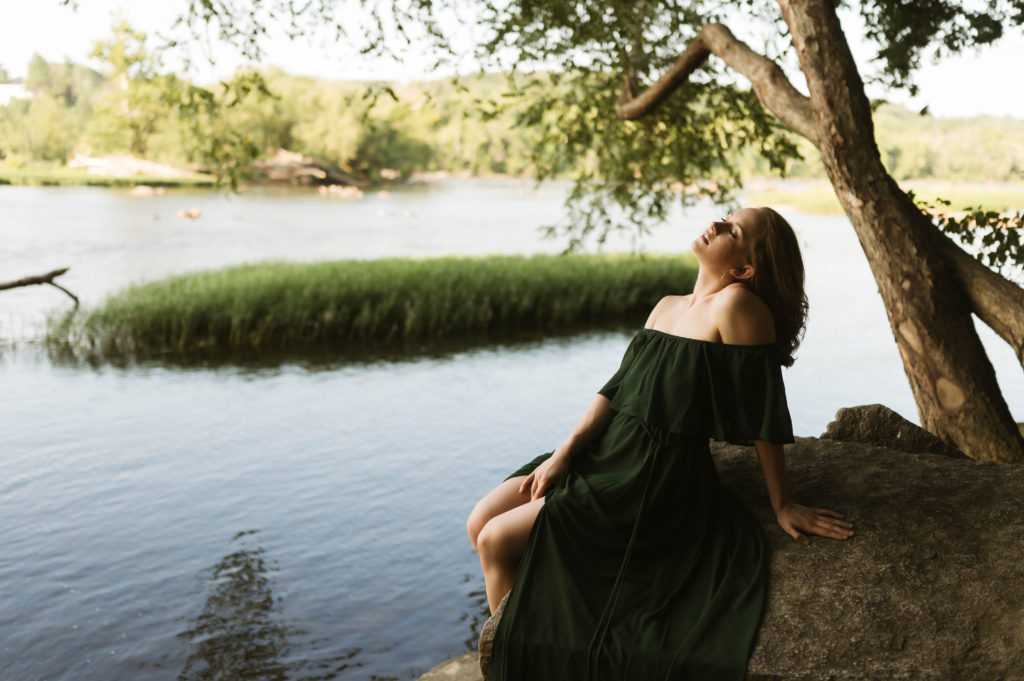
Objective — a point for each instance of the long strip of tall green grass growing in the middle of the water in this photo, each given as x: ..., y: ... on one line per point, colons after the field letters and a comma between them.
x: 359, y: 304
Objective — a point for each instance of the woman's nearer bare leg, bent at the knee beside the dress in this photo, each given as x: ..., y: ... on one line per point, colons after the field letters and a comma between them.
x: 501, y: 544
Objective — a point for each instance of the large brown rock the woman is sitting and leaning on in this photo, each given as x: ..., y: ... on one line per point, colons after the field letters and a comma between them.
x: 930, y: 587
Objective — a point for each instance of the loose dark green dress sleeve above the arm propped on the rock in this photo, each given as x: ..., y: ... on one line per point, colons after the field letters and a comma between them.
x: 748, y: 398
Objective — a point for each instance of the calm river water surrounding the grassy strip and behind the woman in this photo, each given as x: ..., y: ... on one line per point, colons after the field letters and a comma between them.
x: 308, y: 518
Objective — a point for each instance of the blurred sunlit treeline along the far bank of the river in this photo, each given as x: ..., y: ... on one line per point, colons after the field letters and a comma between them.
x: 130, y: 106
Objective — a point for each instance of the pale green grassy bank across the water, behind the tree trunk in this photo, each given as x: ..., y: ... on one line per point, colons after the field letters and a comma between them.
x: 822, y: 199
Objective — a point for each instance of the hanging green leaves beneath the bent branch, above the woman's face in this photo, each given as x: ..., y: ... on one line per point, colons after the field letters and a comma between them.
x: 631, y: 173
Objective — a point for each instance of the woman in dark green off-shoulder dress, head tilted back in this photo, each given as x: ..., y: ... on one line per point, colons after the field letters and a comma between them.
x: 620, y: 556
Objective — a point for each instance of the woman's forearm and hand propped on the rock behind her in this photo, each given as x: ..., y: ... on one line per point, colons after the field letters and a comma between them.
x: 794, y: 518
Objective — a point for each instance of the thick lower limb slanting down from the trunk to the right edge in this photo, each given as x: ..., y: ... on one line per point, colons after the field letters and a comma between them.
x: 998, y: 302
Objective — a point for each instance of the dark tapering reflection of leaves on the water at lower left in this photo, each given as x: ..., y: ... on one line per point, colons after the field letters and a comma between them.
x: 241, y: 633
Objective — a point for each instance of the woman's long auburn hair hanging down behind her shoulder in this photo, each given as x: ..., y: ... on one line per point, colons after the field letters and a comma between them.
x: 779, y: 280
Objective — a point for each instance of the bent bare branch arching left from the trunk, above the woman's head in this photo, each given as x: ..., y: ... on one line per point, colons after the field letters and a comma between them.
x: 771, y: 84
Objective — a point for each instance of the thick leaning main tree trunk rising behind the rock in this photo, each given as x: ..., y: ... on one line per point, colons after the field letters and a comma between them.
x: 952, y: 377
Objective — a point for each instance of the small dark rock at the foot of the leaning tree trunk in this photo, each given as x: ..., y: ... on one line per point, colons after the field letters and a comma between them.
x: 877, y: 424
